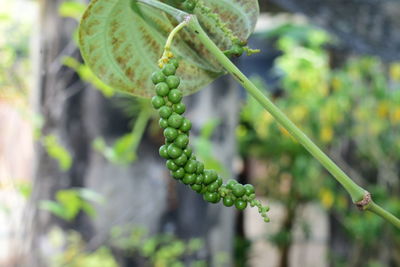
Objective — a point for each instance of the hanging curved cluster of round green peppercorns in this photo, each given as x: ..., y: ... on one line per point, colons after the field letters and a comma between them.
x: 179, y: 156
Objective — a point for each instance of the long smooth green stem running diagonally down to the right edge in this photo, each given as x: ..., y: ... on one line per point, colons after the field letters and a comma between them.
x: 356, y: 192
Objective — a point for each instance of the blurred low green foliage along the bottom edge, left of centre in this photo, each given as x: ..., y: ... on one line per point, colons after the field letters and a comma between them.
x: 162, y: 250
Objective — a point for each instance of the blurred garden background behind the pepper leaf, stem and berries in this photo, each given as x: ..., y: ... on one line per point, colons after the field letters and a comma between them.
x: 82, y: 185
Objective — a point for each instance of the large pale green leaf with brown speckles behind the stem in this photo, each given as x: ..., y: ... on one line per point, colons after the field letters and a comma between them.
x: 122, y: 46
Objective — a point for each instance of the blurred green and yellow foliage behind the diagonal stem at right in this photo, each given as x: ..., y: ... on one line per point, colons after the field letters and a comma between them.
x: 352, y: 112
